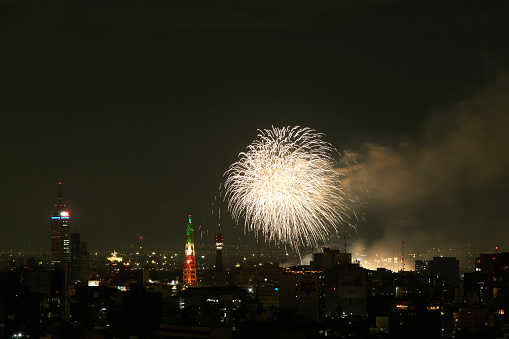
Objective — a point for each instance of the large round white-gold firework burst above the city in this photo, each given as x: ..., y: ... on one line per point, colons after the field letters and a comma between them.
x: 286, y: 186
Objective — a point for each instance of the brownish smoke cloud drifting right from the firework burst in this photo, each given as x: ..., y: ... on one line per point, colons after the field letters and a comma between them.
x: 448, y: 187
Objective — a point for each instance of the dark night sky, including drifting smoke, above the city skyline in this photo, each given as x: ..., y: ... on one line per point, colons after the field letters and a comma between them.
x: 139, y: 107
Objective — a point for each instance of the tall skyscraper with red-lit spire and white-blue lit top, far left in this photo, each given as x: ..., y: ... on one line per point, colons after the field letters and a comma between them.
x: 60, y: 238
